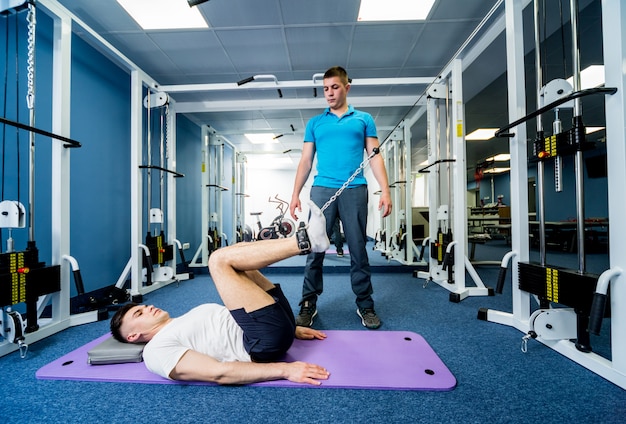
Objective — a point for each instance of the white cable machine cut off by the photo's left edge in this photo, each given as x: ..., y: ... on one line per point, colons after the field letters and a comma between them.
x: 34, y: 296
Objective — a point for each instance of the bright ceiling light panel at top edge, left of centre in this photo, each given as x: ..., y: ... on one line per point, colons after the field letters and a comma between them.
x: 164, y: 14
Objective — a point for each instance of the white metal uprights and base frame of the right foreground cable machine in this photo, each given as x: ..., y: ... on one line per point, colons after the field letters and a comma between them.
x: 562, y: 324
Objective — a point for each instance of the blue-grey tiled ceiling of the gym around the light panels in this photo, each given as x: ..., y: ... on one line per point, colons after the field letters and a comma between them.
x: 293, y: 40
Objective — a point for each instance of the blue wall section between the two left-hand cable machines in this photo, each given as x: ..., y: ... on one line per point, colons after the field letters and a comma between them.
x: 100, y: 169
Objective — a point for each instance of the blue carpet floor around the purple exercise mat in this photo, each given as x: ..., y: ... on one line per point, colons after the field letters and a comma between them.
x: 497, y: 383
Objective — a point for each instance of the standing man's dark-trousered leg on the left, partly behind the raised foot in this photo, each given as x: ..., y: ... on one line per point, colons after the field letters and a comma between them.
x: 313, y: 284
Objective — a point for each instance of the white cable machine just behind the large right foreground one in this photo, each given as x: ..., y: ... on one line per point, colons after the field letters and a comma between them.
x: 447, y: 239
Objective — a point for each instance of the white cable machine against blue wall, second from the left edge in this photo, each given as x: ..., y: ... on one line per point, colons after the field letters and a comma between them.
x: 153, y: 263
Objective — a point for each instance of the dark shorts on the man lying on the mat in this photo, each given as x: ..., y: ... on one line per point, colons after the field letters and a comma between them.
x: 267, y: 332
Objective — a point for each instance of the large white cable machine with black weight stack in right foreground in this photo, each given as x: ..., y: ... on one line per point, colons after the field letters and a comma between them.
x: 581, y: 297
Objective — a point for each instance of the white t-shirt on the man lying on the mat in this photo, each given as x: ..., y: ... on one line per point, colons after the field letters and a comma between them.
x: 209, y: 329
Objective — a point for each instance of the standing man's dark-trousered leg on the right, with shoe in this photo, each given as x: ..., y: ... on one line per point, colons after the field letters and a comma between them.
x: 353, y: 210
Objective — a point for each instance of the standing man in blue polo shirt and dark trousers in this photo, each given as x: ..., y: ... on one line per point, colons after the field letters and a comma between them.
x: 340, y: 136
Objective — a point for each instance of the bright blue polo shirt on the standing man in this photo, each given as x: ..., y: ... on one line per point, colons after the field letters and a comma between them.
x: 339, y: 145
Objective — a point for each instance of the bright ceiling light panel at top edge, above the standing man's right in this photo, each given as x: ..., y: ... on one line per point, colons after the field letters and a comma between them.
x: 394, y: 10
